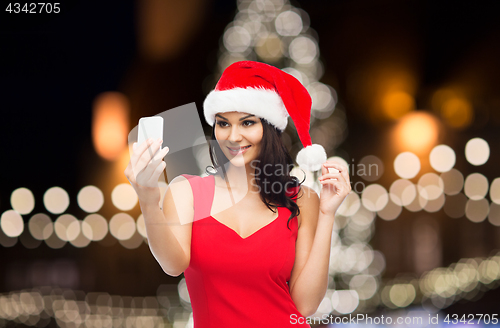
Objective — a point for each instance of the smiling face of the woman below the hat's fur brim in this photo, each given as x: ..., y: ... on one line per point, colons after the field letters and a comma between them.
x: 239, y: 136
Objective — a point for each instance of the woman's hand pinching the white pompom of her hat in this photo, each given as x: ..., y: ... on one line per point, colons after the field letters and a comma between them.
x: 336, y: 186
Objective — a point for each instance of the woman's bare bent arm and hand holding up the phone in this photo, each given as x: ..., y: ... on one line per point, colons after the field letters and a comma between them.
x: 168, y: 231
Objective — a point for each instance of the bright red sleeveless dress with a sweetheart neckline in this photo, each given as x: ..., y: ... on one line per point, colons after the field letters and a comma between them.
x: 240, y: 282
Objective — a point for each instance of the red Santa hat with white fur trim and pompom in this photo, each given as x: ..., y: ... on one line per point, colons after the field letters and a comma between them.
x: 272, y: 94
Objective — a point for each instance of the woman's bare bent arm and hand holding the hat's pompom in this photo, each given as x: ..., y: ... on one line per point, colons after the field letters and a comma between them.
x: 309, y: 279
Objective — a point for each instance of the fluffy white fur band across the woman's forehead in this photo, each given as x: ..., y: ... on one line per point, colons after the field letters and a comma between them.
x: 261, y: 102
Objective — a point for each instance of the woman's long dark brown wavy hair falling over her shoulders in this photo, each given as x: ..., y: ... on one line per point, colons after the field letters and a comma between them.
x: 274, y: 155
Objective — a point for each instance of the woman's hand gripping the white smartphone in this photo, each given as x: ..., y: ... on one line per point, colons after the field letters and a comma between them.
x: 143, y: 170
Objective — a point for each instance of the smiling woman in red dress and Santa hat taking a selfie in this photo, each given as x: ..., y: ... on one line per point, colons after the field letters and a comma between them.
x: 263, y: 260
